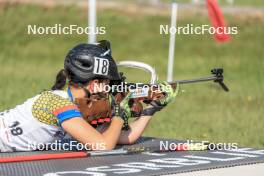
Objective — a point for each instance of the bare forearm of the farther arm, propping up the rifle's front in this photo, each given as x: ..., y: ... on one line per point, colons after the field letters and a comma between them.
x: 136, y: 129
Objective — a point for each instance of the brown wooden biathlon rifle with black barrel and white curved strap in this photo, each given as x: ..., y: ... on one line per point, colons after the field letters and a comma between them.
x: 140, y: 94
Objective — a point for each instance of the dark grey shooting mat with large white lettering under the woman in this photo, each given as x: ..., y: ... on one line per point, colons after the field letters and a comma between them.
x: 137, y: 164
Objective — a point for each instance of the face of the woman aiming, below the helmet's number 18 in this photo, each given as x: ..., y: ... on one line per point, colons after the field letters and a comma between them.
x: 98, y: 85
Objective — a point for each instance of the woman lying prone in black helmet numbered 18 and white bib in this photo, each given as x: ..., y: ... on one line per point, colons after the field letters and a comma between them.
x: 52, y: 114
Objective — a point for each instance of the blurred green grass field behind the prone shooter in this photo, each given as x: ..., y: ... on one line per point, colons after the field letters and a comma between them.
x: 204, y: 112
